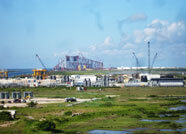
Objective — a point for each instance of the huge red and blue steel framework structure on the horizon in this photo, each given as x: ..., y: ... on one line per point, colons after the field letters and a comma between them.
x: 78, y: 63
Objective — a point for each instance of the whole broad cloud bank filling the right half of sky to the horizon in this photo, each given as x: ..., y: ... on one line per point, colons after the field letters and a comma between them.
x: 166, y: 38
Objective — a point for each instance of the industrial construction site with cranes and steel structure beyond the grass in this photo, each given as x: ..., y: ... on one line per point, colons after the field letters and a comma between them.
x: 138, y: 76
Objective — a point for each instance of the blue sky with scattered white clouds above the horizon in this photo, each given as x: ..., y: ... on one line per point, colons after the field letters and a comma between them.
x: 103, y: 30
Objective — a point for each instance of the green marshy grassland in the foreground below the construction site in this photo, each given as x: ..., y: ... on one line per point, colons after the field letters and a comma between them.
x: 118, y: 113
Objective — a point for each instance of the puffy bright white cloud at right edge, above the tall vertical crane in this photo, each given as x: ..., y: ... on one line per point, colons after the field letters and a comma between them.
x: 162, y: 31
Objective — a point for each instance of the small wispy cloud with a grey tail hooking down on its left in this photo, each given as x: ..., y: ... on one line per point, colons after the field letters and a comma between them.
x: 131, y: 19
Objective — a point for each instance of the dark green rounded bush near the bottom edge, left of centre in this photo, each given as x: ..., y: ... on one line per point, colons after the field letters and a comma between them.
x: 46, y: 125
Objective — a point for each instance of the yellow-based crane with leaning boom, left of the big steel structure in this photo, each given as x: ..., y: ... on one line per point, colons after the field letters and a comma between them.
x: 40, y: 73
